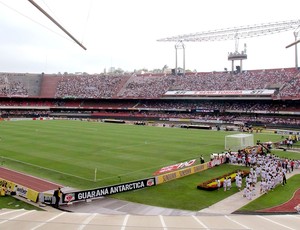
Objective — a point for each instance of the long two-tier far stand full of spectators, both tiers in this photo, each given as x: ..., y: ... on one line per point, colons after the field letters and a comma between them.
x: 143, y: 96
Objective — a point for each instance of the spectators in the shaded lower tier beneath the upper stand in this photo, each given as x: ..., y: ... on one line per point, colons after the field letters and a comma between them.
x: 200, y: 111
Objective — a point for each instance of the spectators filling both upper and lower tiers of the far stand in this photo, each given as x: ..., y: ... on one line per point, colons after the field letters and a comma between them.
x: 154, y: 86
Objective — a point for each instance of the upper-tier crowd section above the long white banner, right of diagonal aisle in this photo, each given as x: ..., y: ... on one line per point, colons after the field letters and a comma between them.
x: 152, y: 87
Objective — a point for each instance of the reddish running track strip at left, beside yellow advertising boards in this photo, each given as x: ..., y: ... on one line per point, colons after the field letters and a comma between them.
x: 27, y: 181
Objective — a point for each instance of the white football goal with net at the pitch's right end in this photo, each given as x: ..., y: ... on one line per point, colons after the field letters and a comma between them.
x: 238, y: 141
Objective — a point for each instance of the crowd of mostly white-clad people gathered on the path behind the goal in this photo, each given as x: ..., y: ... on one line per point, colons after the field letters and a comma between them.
x: 266, y: 170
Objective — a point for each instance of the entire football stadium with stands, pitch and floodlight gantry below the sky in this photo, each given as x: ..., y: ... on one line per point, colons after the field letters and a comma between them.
x: 164, y: 149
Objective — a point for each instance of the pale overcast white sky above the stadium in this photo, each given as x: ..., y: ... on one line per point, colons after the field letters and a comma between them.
x: 124, y: 33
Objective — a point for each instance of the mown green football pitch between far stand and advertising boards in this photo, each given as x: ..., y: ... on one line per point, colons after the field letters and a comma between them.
x: 70, y: 152
